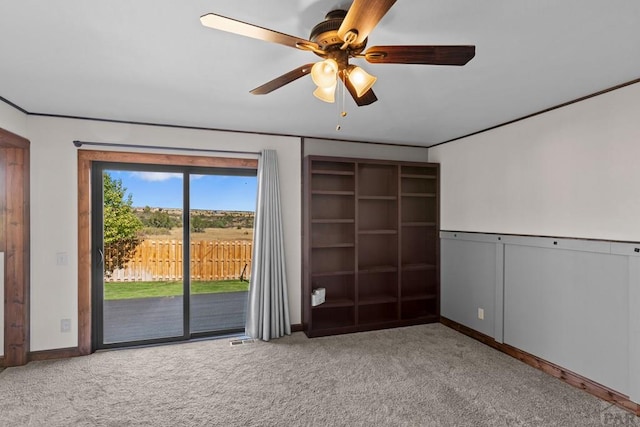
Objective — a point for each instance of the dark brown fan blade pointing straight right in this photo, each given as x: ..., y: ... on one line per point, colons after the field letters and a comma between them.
x: 432, y: 55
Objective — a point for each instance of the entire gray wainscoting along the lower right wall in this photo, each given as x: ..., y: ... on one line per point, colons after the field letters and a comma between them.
x: 572, y: 302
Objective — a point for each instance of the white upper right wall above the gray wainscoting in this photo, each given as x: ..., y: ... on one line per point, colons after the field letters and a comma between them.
x: 570, y: 172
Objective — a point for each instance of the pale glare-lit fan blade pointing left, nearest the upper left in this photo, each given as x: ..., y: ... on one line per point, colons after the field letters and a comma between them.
x: 234, y: 26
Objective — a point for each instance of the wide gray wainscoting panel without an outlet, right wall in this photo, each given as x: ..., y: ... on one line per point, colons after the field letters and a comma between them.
x: 570, y: 307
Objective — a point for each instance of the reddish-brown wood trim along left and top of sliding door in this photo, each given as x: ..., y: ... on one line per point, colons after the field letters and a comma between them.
x: 85, y: 163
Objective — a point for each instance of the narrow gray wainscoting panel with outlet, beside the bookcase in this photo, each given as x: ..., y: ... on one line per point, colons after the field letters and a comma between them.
x: 468, y: 282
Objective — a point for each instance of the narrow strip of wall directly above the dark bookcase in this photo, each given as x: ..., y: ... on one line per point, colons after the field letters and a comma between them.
x: 324, y: 147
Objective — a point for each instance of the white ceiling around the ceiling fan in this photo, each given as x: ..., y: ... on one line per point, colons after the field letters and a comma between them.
x: 152, y: 61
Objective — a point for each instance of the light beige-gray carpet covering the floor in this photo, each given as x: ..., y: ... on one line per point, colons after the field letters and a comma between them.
x: 427, y: 375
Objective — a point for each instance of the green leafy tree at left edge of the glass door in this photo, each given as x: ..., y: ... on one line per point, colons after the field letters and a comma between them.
x: 121, y: 225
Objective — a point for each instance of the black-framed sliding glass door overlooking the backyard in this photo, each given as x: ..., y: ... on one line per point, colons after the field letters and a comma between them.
x: 160, y: 274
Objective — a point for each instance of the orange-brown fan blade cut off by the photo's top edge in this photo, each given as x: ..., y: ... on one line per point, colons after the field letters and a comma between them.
x: 362, y: 17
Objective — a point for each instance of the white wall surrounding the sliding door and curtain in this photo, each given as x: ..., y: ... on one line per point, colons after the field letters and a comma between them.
x: 54, y: 219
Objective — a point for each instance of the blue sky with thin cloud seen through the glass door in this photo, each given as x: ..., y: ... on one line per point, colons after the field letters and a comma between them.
x: 164, y: 190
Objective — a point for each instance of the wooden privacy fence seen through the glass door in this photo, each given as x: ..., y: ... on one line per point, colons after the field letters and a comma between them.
x: 162, y: 260
